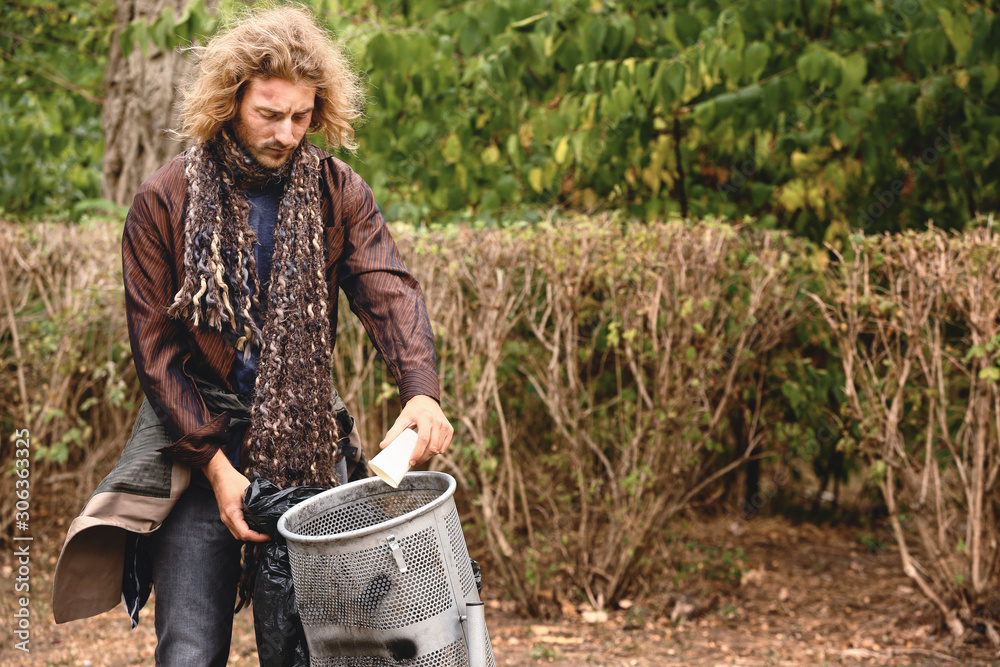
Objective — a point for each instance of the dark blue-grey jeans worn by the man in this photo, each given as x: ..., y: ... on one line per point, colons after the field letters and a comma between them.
x: 196, y: 568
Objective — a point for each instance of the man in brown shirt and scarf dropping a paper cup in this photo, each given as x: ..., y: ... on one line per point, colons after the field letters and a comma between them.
x: 232, y: 257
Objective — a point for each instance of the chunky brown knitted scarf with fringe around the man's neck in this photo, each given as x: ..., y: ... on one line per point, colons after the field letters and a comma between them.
x: 293, y: 433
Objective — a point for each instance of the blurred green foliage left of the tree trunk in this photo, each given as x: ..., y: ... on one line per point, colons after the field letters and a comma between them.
x: 52, y: 55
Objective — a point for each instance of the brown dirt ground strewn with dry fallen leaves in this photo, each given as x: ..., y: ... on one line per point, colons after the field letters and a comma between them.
x: 763, y: 593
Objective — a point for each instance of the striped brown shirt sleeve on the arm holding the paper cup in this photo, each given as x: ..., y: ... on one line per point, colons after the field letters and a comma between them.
x: 384, y: 294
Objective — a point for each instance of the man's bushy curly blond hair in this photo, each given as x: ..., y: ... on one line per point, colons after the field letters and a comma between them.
x: 278, y: 42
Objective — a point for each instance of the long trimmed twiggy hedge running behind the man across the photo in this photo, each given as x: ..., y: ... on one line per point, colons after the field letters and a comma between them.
x: 604, y: 376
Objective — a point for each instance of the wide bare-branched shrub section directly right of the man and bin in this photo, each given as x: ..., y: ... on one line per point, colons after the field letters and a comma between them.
x: 590, y: 368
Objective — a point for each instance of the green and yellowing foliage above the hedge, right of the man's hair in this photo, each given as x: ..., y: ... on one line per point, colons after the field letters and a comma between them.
x: 859, y: 115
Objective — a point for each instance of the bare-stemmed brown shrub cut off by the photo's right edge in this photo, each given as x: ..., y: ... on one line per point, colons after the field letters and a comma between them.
x: 917, y: 318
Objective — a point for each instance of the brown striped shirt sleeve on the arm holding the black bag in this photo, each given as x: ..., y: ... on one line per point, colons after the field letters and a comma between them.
x: 160, y: 344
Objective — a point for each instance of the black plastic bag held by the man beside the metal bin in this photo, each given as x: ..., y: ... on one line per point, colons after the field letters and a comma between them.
x: 281, y: 641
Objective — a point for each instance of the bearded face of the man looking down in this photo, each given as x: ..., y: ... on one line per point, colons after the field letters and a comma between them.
x: 273, y: 118
